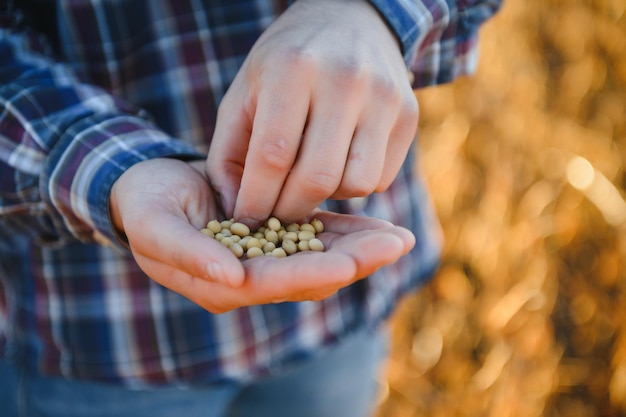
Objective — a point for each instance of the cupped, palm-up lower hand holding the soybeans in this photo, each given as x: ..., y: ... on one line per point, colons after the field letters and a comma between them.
x: 161, y: 216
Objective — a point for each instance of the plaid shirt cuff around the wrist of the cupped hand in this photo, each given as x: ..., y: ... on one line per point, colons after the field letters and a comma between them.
x: 91, y: 156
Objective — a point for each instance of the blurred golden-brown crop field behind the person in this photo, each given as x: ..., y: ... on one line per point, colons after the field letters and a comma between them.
x: 526, y: 164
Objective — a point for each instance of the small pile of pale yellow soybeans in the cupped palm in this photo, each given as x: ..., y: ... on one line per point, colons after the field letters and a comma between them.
x: 273, y: 238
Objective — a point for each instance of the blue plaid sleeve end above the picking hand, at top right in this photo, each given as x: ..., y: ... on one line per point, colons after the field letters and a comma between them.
x: 438, y: 37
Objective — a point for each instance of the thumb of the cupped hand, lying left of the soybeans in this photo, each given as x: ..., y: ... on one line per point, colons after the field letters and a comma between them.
x: 176, y: 244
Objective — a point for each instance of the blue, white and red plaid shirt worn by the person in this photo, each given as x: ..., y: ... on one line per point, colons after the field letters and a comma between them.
x: 111, y: 83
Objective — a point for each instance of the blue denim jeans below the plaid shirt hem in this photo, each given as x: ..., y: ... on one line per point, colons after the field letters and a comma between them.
x: 339, y: 383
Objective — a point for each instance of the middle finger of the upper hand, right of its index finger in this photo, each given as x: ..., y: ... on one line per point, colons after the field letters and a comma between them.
x: 321, y: 161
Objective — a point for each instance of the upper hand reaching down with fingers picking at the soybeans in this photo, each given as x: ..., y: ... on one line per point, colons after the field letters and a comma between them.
x: 322, y: 108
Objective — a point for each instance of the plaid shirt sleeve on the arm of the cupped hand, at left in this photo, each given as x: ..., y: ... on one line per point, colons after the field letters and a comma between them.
x: 62, y: 146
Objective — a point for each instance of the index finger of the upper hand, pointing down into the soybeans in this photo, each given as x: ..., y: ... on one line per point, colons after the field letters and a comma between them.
x: 279, y: 121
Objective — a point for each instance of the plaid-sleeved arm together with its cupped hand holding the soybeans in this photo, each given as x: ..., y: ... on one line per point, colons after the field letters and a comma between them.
x: 85, y: 164
